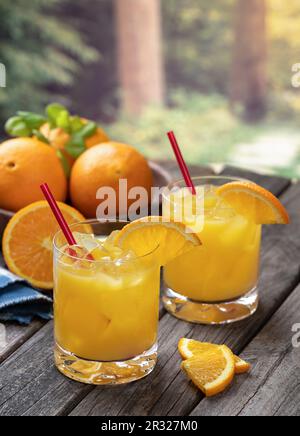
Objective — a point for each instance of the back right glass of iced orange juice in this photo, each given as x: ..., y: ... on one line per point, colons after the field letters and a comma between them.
x: 215, y: 283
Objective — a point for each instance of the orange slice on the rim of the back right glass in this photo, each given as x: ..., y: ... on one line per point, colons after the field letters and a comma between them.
x: 255, y: 202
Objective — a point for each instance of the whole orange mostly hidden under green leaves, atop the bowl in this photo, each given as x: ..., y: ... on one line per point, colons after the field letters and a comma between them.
x: 58, y: 138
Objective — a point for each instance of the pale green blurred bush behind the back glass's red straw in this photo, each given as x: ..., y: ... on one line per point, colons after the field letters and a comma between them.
x: 204, y: 126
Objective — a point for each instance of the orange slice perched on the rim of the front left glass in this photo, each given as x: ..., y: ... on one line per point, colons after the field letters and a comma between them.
x: 143, y: 236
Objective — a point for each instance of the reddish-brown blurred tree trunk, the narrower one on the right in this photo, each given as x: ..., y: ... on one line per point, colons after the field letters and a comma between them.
x: 249, y: 81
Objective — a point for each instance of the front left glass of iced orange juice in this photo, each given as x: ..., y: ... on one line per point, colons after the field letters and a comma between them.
x: 106, y: 306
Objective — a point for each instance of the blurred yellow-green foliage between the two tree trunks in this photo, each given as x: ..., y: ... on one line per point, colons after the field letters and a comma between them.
x: 198, y: 42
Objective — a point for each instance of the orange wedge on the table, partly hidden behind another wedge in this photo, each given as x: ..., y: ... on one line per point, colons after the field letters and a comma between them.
x: 190, y: 348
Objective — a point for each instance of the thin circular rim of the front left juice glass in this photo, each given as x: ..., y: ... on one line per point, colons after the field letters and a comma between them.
x: 106, y: 261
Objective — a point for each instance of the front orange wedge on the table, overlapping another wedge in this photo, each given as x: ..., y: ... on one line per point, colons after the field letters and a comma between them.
x: 211, y: 371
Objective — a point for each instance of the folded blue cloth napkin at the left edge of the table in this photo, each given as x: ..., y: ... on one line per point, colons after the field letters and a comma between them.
x: 20, y: 302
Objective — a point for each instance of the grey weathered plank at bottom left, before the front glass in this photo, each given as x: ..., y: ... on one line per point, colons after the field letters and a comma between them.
x: 29, y: 375
